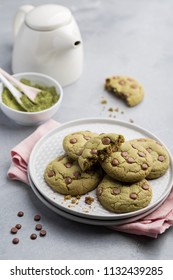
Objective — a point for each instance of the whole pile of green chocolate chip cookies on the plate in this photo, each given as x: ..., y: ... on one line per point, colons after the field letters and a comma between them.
x: 119, y: 170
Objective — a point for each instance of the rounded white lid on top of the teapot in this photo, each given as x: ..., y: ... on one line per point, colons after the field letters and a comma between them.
x: 48, y: 17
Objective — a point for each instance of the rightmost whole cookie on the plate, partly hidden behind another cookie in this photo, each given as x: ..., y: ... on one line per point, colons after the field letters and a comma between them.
x: 159, y: 155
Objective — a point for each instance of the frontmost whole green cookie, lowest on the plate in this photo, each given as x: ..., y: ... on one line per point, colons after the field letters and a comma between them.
x: 121, y: 197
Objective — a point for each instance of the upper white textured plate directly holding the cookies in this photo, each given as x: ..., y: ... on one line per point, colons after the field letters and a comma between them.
x: 50, y: 146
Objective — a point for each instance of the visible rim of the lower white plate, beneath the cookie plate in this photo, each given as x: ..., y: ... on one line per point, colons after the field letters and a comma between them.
x: 86, y: 220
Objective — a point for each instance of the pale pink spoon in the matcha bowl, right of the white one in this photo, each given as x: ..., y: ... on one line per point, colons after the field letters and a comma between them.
x: 30, y: 92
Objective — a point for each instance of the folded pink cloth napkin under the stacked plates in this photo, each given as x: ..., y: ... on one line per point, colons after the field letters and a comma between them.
x: 152, y: 225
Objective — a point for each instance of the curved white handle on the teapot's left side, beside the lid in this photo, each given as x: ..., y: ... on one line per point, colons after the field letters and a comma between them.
x: 19, y: 17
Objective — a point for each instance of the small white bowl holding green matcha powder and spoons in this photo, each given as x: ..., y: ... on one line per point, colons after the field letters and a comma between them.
x: 33, y: 118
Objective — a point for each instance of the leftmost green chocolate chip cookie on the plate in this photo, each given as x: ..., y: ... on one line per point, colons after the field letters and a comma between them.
x: 64, y: 176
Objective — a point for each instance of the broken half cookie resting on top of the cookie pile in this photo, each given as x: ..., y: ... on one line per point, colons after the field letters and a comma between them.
x: 98, y: 148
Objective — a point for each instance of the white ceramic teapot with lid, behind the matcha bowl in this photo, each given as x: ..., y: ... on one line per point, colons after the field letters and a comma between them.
x: 47, y: 40
